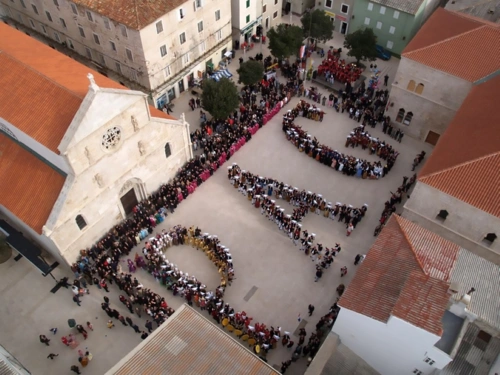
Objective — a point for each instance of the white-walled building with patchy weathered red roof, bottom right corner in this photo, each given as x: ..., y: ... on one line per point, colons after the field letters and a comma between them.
x: 411, y: 307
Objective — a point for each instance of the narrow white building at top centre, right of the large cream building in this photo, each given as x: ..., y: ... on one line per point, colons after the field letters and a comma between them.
x: 248, y: 14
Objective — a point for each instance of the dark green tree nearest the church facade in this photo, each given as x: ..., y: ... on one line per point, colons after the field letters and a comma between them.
x: 220, y: 98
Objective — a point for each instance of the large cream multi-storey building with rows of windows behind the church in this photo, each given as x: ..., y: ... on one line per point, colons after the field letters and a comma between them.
x: 162, y: 46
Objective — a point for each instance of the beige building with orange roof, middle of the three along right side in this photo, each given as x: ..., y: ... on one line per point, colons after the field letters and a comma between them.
x: 458, y: 189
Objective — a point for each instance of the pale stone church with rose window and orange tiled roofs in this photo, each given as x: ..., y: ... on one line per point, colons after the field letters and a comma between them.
x: 78, y: 152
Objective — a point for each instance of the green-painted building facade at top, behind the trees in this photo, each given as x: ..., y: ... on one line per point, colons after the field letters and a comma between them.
x: 394, y: 23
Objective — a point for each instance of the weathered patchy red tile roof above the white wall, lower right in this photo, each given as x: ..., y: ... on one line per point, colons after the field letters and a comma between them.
x: 403, y: 256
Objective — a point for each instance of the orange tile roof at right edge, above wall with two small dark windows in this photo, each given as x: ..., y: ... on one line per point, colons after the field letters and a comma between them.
x: 462, y: 166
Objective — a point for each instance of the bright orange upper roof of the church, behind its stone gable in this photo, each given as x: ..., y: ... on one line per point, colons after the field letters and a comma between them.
x: 41, y: 89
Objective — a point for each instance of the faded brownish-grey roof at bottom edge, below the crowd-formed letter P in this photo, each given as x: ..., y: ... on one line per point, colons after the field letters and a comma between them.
x: 187, y: 343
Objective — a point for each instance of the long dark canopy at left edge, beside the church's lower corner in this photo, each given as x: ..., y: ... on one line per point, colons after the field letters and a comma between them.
x: 26, y: 249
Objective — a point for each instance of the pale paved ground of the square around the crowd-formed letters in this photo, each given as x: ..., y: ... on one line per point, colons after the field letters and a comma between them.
x: 265, y: 260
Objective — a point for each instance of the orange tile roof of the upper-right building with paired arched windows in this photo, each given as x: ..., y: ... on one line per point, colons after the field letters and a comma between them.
x: 451, y: 42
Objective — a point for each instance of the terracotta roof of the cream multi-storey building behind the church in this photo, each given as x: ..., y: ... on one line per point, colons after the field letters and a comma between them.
x: 135, y: 14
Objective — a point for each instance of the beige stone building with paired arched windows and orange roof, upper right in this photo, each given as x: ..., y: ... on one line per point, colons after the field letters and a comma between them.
x: 450, y: 54
